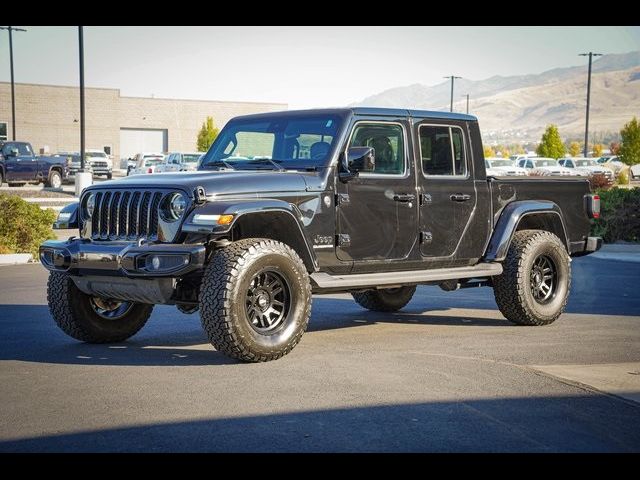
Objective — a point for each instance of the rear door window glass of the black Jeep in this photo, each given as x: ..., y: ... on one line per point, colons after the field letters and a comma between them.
x: 442, y: 150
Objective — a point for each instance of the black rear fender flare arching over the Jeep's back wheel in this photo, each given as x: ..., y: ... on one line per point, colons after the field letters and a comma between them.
x: 511, y: 217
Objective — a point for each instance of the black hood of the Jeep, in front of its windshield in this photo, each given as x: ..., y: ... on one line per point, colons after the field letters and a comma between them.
x: 216, y: 182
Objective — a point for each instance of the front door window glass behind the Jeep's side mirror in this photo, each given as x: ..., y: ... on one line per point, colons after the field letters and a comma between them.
x: 388, y: 142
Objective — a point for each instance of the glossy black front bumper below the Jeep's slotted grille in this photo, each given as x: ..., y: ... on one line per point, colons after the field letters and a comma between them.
x: 86, y: 257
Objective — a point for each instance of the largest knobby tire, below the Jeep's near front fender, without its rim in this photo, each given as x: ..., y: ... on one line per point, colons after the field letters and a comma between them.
x: 223, y: 298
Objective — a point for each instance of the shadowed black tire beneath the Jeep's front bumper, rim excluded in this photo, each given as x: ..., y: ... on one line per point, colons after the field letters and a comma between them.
x: 71, y: 309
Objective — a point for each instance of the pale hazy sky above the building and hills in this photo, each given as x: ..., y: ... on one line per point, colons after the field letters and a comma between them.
x: 301, y: 66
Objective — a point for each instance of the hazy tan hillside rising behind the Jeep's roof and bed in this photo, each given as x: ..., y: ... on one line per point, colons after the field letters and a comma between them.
x: 519, y: 107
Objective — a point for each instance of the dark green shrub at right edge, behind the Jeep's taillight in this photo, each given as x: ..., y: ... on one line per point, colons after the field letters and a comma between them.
x: 619, y: 215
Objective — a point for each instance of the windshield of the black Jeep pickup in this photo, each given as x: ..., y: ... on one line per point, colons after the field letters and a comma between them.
x: 277, y: 141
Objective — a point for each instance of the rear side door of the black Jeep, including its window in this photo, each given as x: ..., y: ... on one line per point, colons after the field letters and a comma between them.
x: 448, y: 195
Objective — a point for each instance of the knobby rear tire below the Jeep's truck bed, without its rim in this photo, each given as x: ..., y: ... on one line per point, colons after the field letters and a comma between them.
x: 512, y: 289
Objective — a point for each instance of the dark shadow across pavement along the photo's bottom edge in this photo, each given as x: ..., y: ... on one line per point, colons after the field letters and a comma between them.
x: 586, y: 423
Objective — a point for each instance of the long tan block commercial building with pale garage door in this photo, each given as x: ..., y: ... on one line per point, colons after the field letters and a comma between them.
x: 48, y: 116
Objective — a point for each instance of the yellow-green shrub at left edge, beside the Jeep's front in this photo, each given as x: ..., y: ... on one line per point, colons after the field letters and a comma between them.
x: 23, y: 226
